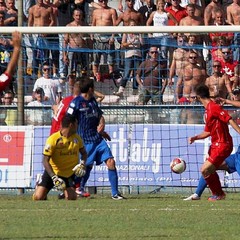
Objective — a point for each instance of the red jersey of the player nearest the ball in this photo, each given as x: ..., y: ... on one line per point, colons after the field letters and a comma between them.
x: 216, y: 119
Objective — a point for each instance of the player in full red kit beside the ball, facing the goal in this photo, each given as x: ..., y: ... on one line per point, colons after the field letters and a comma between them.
x: 216, y: 127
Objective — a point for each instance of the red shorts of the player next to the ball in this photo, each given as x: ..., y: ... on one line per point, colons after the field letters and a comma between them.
x: 218, y: 153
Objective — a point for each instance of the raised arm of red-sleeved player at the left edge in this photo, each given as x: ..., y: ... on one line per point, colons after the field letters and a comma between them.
x: 6, y: 77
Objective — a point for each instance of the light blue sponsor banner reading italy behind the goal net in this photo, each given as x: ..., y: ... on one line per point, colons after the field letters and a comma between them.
x: 143, y: 154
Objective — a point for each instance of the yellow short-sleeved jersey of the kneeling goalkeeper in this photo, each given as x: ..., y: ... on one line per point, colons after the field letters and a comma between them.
x: 63, y: 153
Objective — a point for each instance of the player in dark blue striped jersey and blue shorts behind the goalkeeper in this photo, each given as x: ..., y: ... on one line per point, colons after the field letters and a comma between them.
x: 91, y: 129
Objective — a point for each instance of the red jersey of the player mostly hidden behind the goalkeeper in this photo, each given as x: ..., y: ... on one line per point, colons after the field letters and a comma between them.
x: 61, y: 111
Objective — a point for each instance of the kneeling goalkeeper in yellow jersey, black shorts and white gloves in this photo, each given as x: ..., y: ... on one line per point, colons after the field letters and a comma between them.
x: 61, y: 161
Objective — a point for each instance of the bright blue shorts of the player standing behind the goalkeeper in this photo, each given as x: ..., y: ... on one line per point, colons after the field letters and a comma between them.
x: 98, y: 152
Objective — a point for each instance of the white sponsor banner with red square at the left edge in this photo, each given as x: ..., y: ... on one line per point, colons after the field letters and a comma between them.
x: 15, y: 156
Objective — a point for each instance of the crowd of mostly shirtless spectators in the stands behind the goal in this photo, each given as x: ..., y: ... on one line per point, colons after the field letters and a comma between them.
x: 186, y: 59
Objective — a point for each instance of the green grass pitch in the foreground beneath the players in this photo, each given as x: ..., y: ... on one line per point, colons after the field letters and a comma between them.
x: 144, y: 216
